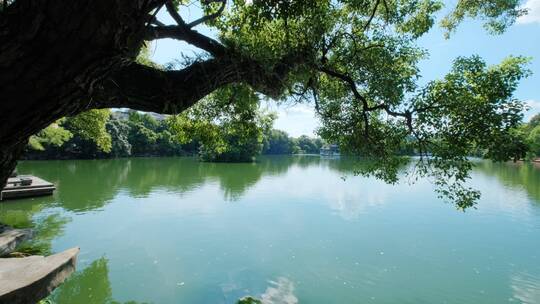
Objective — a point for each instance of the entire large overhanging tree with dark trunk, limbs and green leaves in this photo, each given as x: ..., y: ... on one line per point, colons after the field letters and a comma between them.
x: 354, y: 60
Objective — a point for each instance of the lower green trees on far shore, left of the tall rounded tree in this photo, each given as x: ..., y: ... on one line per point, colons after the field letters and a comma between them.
x: 96, y: 135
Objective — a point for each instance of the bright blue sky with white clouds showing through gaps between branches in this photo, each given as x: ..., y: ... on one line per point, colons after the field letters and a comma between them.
x: 522, y: 39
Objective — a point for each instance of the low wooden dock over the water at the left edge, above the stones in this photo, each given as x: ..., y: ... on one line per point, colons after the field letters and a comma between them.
x: 26, y: 186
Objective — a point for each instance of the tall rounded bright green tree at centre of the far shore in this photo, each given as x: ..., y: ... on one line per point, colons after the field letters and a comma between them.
x: 227, y: 124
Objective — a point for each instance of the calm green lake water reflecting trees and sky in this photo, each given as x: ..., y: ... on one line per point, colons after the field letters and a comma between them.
x: 285, y: 229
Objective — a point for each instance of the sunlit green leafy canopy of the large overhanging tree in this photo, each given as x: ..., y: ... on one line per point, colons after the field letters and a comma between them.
x: 359, y: 68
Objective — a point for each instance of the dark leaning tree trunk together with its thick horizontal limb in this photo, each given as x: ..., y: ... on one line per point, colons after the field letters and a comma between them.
x: 61, y: 57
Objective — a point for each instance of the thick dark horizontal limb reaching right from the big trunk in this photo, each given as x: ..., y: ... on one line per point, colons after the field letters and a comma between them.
x: 148, y: 89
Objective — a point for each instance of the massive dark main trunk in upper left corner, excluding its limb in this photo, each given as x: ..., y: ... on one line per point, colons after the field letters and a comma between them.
x: 53, y: 54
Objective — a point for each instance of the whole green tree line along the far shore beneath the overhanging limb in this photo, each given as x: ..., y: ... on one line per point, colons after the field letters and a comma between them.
x: 106, y: 134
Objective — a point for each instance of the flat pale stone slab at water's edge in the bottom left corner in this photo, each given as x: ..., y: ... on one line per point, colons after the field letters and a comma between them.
x: 30, y: 279
